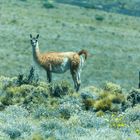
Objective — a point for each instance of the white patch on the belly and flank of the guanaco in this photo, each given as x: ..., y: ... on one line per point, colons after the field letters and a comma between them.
x: 63, y: 67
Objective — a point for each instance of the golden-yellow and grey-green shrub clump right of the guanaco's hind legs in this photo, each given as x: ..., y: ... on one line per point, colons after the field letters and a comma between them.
x: 110, y: 98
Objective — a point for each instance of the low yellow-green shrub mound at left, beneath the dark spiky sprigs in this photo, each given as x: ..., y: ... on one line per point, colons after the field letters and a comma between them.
x: 24, y: 94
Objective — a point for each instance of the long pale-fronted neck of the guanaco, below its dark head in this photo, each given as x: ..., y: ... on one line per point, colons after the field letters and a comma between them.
x: 37, y: 54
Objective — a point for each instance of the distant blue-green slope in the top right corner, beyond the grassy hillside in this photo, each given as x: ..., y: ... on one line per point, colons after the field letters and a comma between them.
x: 127, y: 7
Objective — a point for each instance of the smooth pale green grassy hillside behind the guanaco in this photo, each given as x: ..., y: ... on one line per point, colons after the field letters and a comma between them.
x: 112, y: 40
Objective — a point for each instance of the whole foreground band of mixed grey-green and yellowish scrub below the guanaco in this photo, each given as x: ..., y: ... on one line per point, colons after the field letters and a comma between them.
x: 36, y: 110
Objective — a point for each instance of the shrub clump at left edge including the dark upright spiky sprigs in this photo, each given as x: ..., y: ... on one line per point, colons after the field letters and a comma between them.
x: 23, y: 90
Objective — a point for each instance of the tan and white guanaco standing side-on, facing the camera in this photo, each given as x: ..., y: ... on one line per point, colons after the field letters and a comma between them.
x: 59, y: 62
